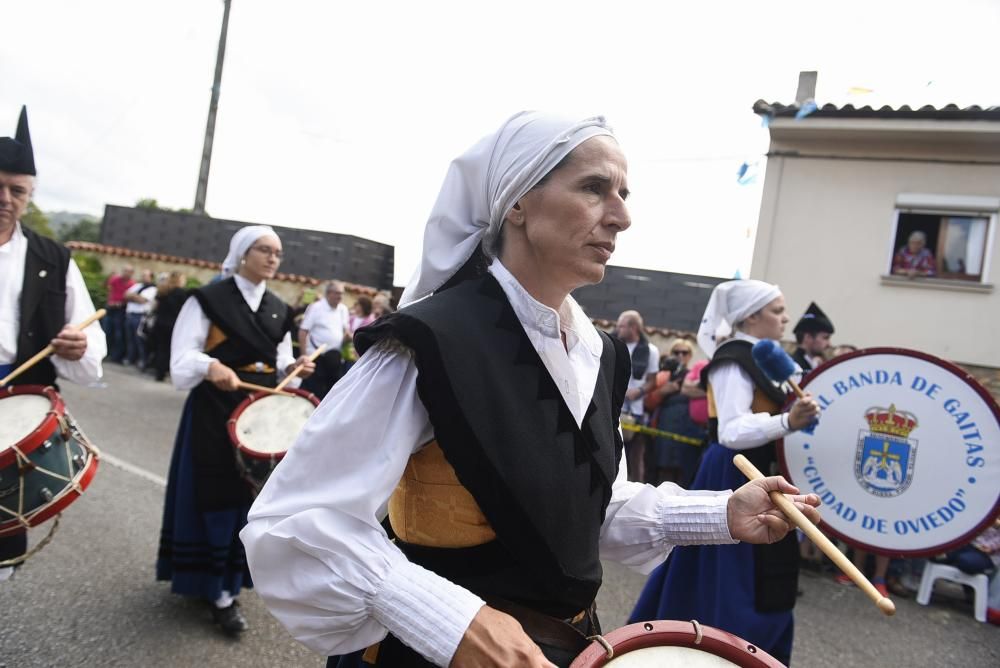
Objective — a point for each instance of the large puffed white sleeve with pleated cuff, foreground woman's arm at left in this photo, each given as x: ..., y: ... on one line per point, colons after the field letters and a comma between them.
x: 319, y: 557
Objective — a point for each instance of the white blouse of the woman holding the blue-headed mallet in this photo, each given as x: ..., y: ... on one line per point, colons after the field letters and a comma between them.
x: 739, y: 428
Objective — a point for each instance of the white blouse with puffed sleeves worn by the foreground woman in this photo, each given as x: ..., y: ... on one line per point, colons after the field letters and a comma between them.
x: 319, y: 557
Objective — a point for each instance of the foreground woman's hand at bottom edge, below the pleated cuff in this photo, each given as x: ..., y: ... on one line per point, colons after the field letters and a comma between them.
x: 496, y: 640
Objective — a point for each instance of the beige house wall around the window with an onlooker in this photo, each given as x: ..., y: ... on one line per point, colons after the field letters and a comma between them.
x: 824, y: 235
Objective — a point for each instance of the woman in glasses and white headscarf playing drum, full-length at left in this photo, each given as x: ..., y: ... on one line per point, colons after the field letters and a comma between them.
x: 230, y: 331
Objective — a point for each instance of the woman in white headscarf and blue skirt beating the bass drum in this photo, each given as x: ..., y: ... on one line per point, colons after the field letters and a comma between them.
x: 748, y: 590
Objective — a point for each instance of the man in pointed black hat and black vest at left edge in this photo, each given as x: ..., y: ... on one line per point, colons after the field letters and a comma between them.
x: 41, y: 292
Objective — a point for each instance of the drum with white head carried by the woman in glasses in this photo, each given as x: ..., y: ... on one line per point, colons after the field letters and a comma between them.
x: 263, y: 427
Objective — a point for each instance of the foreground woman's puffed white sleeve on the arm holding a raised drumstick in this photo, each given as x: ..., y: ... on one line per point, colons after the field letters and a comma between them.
x: 643, y: 523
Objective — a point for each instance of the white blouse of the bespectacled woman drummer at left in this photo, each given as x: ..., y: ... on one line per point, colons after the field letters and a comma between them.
x: 188, y: 361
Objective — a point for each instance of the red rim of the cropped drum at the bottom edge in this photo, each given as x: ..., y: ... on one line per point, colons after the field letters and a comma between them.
x: 667, y: 633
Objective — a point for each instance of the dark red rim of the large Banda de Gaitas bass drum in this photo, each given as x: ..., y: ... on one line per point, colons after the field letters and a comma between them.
x: 955, y: 370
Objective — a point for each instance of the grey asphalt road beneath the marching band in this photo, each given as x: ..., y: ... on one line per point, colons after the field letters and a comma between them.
x: 89, y: 598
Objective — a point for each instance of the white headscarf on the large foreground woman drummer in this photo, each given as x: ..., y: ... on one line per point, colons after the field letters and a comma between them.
x: 485, y: 182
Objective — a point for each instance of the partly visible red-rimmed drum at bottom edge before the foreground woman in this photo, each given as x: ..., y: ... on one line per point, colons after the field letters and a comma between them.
x: 664, y: 644
